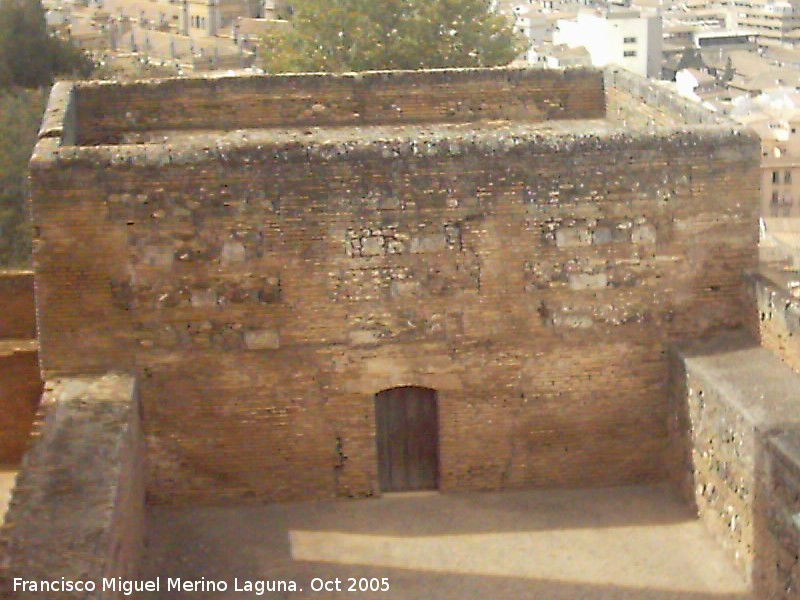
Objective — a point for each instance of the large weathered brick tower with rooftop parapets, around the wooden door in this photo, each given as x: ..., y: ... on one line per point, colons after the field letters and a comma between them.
x: 491, y: 234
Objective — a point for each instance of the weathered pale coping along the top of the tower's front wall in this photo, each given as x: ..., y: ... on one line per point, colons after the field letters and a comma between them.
x: 255, y: 145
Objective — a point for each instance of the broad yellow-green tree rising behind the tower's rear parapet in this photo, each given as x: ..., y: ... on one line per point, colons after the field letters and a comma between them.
x: 359, y: 35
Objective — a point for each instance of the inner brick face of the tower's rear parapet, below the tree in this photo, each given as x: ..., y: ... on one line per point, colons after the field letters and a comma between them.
x: 107, y: 111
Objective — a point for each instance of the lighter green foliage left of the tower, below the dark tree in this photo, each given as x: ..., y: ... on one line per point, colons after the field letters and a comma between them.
x: 20, y: 115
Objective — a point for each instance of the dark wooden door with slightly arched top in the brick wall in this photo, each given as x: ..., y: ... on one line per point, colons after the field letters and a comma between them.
x: 407, y: 434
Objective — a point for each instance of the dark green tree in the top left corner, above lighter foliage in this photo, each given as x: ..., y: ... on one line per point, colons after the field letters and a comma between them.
x: 29, y: 56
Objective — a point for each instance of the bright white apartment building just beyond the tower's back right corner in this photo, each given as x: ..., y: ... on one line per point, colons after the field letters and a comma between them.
x: 631, y: 39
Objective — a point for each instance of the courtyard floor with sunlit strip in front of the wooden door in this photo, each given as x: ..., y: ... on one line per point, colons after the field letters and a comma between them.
x: 629, y: 542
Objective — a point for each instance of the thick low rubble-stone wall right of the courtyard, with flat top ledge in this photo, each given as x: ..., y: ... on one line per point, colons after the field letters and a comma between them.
x: 731, y: 402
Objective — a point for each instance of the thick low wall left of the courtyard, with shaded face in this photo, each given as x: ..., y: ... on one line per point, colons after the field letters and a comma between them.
x: 78, y: 509
